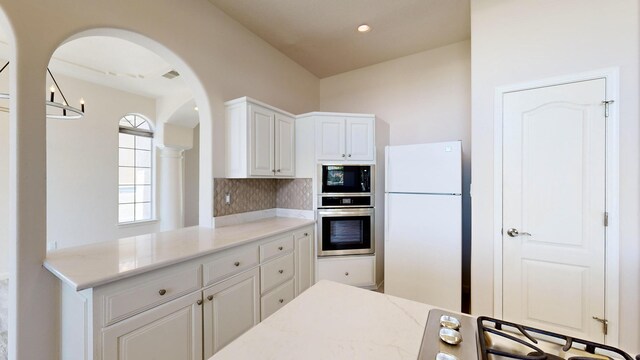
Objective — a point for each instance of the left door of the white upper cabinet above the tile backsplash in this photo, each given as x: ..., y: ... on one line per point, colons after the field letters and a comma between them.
x: 262, y: 141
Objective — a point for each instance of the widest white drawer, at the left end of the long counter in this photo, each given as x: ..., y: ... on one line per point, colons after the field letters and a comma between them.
x: 131, y: 297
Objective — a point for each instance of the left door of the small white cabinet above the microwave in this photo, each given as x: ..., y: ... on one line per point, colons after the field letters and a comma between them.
x: 330, y: 138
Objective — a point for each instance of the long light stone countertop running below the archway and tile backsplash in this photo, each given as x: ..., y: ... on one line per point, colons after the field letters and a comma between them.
x: 98, y: 264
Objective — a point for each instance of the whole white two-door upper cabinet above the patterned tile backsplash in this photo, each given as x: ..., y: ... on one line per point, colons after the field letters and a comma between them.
x: 260, y: 140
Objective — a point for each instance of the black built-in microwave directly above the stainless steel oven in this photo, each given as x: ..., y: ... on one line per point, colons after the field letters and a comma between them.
x: 346, y: 179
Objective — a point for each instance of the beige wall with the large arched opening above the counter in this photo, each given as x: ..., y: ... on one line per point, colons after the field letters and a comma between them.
x: 218, y: 59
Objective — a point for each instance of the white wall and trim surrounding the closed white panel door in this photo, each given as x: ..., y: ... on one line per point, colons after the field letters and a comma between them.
x: 525, y: 40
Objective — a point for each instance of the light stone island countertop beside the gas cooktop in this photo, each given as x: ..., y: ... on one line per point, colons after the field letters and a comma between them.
x: 335, y: 321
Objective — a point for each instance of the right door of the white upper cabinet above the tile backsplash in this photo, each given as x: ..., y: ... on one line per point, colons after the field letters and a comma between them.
x: 285, y: 145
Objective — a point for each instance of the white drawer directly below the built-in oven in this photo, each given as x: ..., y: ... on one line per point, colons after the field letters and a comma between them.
x: 358, y: 271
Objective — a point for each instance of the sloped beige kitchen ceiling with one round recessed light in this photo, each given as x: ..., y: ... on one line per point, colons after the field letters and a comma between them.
x: 321, y: 35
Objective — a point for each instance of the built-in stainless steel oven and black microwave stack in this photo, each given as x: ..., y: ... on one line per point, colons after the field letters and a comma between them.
x: 346, y: 209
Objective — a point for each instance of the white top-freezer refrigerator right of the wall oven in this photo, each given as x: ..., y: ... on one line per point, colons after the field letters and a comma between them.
x: 423, y: 223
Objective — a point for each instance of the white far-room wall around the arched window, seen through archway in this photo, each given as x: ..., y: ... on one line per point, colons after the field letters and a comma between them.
x: 82, y: 166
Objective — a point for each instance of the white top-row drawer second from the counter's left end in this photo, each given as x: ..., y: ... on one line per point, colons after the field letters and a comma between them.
x: 230, y: 264
